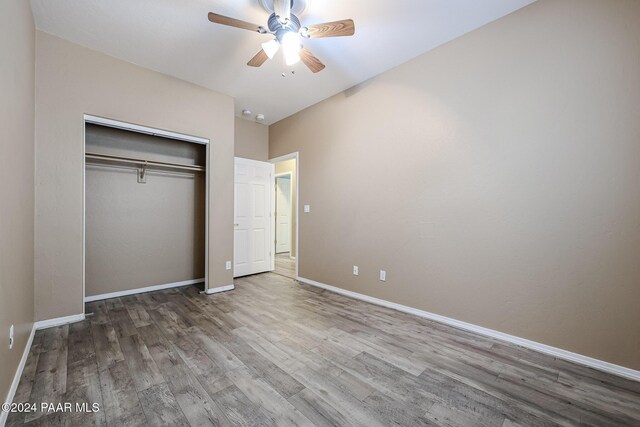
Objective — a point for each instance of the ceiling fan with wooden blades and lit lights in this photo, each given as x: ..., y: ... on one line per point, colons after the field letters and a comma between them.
x: 288, y: 32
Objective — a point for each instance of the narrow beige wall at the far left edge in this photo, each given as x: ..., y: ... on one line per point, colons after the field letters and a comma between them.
x: 17, y: 44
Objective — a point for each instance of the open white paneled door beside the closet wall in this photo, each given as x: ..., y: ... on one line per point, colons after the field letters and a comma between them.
x: 252, y: 222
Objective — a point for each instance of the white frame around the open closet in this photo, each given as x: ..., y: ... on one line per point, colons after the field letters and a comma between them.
x: 102, y: 121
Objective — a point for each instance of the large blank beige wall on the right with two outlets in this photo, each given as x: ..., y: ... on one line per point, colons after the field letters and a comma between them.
x: 495, y: 179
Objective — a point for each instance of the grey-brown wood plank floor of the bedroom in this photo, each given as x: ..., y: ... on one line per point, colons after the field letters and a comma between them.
x: 274, y: 352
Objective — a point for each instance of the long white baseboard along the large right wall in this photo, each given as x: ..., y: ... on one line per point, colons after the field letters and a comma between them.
x: 532, y: 345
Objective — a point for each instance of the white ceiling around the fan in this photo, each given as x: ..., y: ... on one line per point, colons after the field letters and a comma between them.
x: 175, y: 37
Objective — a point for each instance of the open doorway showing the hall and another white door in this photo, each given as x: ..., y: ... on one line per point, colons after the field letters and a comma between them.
x: 286, y: 215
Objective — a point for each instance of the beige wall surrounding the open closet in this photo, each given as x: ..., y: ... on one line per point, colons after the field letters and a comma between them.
x: 72, y: 80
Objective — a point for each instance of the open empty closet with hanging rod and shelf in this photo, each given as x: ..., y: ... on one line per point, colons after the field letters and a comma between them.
x: 145, y: 207
